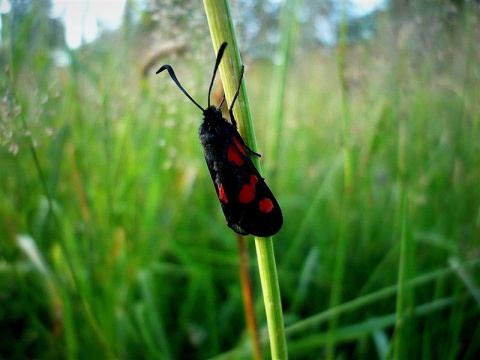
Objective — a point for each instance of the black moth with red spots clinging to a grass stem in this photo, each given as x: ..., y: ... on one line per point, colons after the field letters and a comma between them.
x: 247, y: 203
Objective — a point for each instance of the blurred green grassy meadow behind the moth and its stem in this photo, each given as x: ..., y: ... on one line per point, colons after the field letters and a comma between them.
x: 113, y: 244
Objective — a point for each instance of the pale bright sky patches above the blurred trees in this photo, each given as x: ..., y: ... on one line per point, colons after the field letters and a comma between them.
x: 84, y: 19
